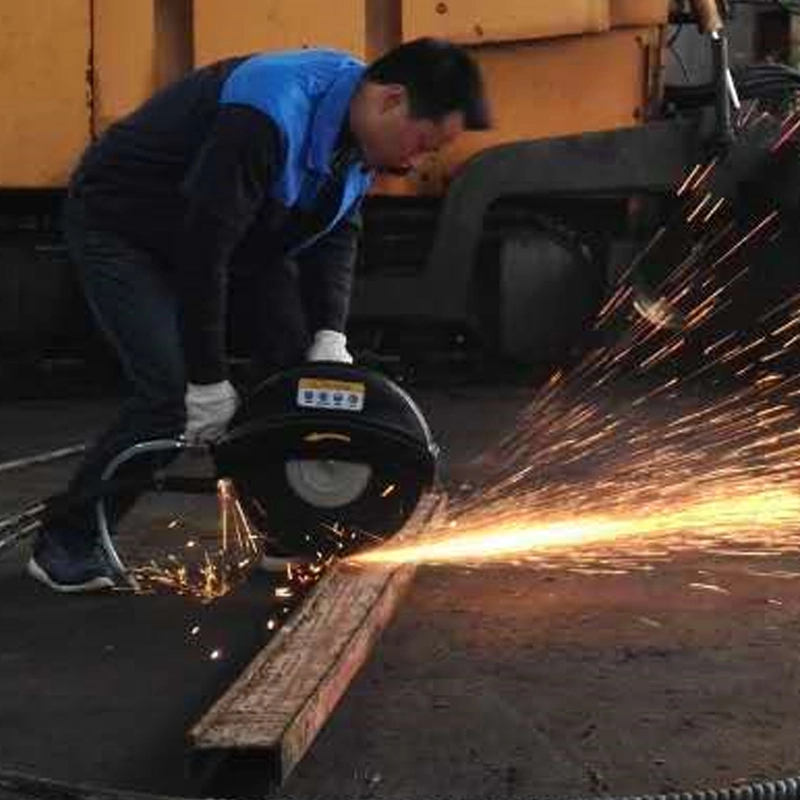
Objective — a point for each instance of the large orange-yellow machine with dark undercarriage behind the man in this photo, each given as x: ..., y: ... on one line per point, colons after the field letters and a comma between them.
x: 445, y: 269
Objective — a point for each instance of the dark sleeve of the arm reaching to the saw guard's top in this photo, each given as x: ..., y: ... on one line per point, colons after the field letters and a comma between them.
x: 326, y: 275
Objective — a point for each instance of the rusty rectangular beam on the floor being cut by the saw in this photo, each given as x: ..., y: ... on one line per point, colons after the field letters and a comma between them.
x: 276, y: 708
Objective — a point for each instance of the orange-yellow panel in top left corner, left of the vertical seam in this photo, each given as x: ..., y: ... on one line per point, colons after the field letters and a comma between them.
x: 45, y: 122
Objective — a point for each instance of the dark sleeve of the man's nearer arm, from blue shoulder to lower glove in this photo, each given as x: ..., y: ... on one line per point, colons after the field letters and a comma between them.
x: 224, y: 189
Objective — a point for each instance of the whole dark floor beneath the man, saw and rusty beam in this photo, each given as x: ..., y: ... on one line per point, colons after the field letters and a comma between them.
x: 504, y: 681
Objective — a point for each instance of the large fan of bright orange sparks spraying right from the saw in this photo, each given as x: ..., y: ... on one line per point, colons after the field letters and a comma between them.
x: 600, y: 475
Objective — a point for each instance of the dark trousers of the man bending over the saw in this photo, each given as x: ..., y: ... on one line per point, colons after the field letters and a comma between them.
x: 133, y: 302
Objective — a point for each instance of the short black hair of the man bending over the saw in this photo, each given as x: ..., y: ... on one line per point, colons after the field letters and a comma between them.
x: 440, y: 78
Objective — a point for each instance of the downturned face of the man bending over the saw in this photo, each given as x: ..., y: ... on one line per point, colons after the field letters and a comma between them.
x: 391, y: 139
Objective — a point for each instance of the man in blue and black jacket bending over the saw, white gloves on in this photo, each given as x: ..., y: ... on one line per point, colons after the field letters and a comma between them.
x: 255, y: 165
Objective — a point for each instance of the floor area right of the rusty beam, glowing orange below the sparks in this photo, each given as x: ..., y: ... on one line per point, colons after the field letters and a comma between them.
x: 504, y: 682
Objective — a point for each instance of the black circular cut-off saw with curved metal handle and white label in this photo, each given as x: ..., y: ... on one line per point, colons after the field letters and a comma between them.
x: 326, y: 459
